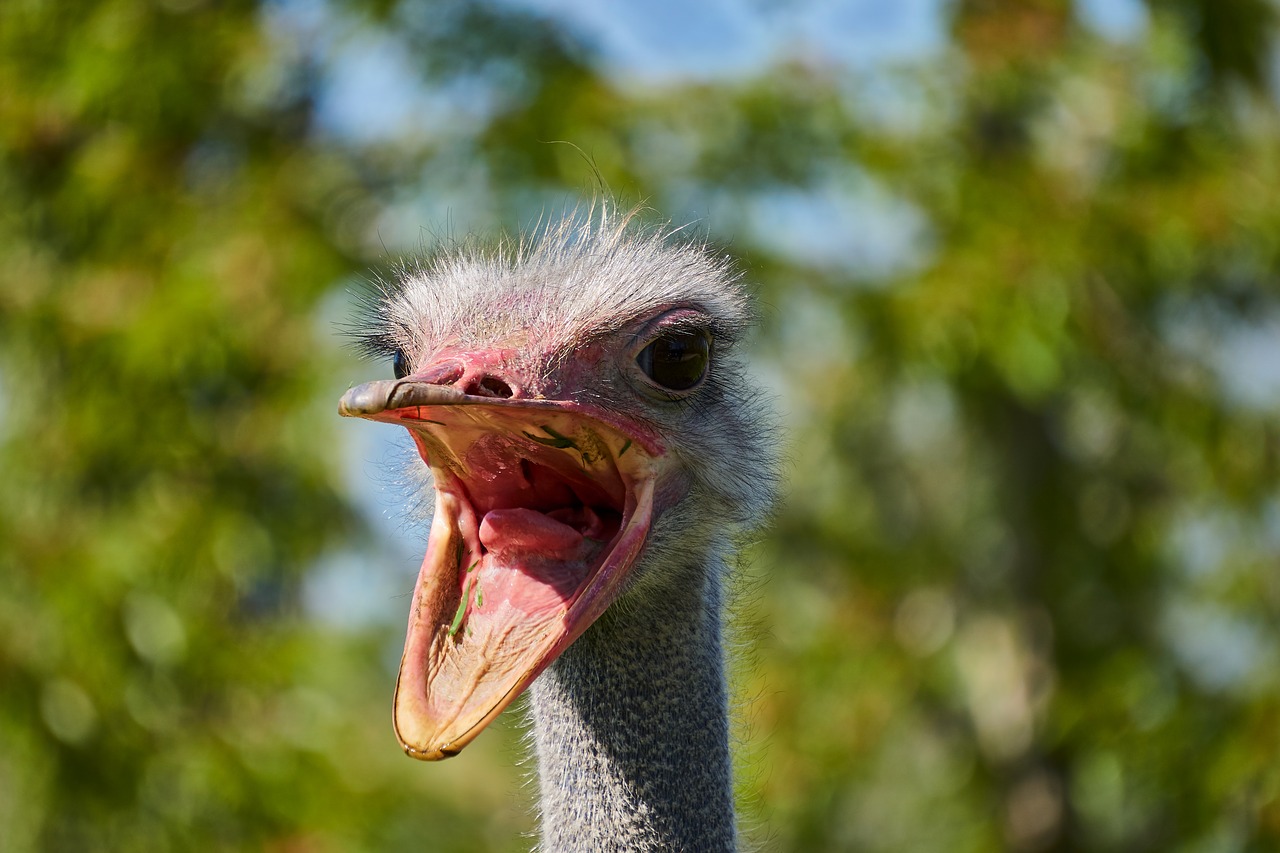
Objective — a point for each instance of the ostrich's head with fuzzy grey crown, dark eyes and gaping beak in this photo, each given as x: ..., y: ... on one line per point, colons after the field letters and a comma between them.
x: 580, y: 403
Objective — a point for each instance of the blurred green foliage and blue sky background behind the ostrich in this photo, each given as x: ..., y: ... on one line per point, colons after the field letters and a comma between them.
x: 1018, y: 264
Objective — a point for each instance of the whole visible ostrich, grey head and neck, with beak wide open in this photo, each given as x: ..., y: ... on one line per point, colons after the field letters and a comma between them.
x: 596, y: 453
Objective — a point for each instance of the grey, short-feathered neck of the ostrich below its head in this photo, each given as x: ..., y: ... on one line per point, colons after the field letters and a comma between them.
x: 632, y: 729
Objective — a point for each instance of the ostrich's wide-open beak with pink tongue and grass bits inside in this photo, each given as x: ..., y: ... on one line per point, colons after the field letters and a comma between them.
x: 542, y: 509
